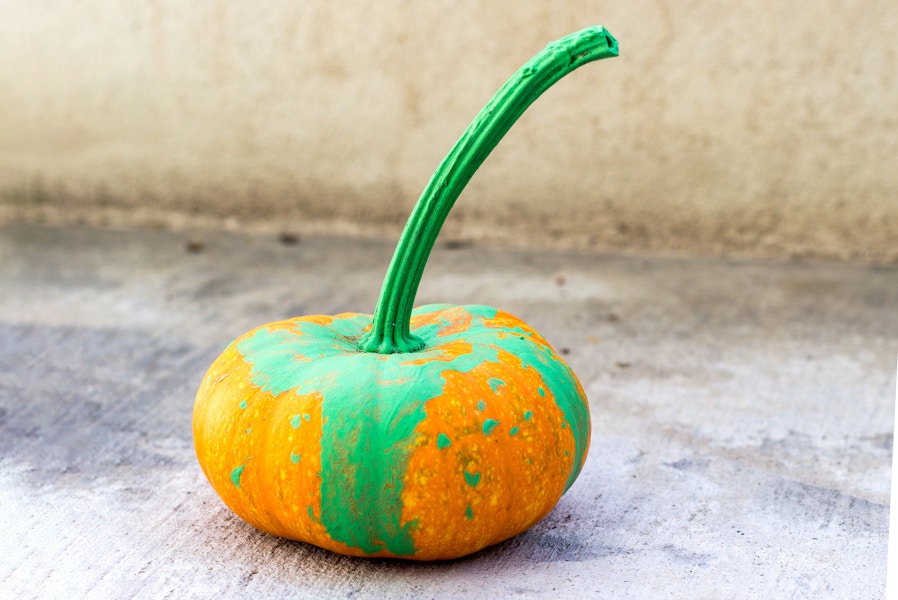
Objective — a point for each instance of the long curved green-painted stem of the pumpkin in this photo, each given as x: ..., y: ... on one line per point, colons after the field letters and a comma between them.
x: 390, y: 330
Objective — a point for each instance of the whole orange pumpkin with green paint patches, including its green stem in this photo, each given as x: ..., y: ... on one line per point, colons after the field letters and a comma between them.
x: 425, y: 433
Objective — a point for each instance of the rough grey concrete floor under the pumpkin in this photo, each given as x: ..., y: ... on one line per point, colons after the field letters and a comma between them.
x: 742, y: 419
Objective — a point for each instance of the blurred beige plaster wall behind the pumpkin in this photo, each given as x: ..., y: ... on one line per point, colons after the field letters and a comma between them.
x: 758, y: 128
